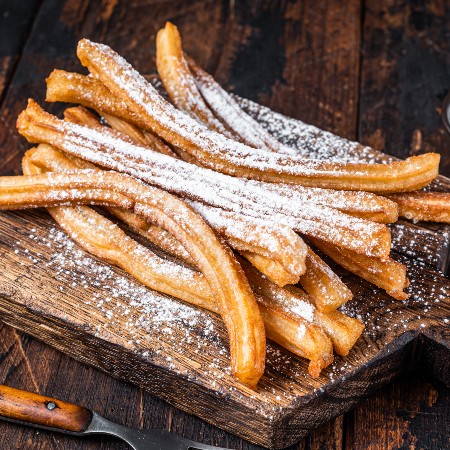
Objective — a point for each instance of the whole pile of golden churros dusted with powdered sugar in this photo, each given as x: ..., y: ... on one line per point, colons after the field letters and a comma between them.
x: 242, y: 214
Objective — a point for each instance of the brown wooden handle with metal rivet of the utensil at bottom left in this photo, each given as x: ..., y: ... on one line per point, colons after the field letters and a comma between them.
x: 38, y: 410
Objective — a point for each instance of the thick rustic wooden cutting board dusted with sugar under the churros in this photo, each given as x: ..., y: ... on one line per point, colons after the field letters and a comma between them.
x: 96, y: 313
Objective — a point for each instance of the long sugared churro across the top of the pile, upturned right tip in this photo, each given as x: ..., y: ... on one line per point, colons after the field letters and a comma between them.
x: 219, y: 153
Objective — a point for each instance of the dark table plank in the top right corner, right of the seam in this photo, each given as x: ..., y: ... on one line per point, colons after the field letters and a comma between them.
x: 405, y: 77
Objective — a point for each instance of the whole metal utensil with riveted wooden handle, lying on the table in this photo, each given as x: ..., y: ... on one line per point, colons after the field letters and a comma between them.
x: 27, y: 408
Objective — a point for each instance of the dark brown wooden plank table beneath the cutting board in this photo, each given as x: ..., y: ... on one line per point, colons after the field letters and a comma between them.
x: 375, y: 71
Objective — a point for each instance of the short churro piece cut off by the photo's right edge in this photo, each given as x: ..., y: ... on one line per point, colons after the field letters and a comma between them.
x: 427, y: 206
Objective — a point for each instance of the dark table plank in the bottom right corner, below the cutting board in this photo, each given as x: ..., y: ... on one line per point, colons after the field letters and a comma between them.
x: 411, y: 413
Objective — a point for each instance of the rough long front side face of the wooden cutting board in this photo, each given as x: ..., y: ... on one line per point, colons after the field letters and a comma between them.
x: 158, y: 381
